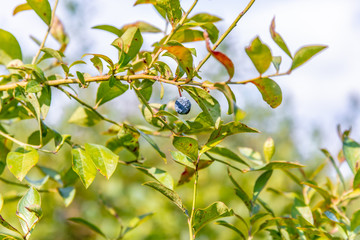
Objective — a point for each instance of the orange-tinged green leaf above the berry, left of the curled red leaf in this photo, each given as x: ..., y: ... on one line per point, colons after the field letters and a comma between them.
x: 183, y: 56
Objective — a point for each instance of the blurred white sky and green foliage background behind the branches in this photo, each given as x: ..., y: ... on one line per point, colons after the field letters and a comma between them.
x: 316, y: 97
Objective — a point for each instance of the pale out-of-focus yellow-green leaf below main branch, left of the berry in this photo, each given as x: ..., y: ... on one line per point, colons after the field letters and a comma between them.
x: 84, y: 117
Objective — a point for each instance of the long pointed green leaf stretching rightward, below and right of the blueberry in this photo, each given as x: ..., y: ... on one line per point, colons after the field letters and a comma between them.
x: 226, y: 130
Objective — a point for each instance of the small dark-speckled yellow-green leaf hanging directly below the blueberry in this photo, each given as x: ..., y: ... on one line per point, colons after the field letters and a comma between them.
x: 188, y: 146
